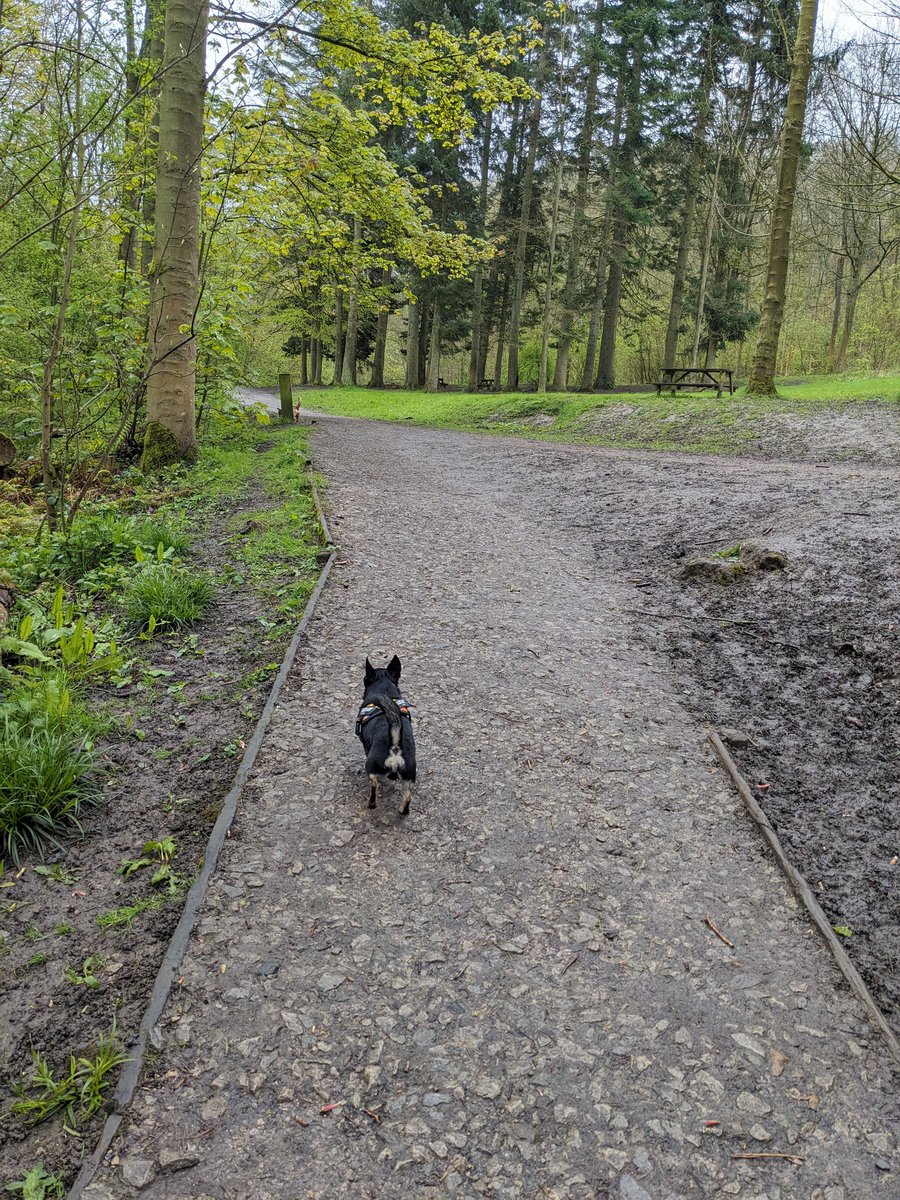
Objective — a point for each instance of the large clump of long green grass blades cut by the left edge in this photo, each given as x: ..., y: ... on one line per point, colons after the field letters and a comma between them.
x: 45, y: 777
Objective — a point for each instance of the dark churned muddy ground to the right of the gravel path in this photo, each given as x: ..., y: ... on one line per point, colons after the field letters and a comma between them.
x: 806, y: 661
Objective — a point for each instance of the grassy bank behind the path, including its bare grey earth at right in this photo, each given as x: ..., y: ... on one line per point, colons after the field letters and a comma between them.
x: 825, y: 419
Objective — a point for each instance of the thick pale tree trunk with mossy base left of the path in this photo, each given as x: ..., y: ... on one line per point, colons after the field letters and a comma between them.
x: 175, y: 281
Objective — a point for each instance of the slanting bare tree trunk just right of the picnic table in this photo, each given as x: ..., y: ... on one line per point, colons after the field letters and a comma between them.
x: 763, y: 376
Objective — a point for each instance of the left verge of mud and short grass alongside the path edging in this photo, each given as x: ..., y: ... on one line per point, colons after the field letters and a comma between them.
x: 81, y: 941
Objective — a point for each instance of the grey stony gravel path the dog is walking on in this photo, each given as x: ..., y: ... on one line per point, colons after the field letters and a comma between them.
x: 513, y: 993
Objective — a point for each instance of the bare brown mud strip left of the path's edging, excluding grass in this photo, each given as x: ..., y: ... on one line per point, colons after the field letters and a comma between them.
x: 181, y: 727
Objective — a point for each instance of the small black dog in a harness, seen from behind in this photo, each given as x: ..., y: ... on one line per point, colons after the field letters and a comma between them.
x: 386, y: 730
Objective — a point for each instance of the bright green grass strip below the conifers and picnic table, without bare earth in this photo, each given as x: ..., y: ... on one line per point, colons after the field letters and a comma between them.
x: 694, y: 422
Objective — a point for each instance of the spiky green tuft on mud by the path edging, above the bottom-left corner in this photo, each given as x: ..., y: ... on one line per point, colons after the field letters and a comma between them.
x: 79, y: 1094
